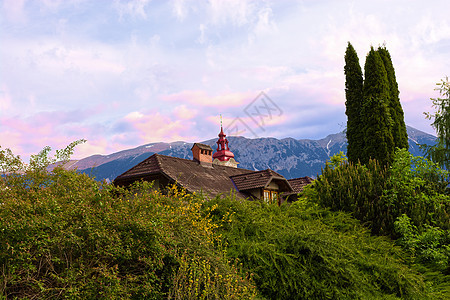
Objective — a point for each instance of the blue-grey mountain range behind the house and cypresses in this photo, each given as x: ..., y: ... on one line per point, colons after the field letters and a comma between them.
x: 290, y: 157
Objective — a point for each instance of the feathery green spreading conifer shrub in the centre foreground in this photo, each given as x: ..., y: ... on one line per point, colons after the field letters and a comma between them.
x: 301, y: 251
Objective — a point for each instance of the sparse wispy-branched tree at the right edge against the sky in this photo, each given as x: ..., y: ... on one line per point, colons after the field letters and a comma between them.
x: 440, y: 153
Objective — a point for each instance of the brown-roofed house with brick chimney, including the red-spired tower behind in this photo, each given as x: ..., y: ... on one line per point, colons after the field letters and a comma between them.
x: 214, y: 175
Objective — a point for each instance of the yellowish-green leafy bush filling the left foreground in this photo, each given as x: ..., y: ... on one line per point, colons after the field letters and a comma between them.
x: 65, y: 235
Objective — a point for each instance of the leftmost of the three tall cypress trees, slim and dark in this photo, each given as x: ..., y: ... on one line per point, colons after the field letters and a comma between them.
x: 353, y: 104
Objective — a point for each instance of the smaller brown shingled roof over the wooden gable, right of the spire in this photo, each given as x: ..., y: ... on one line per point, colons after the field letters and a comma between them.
x: 259, y: 179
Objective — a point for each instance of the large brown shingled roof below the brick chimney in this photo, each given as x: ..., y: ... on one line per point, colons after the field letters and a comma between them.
x: 188, y: 173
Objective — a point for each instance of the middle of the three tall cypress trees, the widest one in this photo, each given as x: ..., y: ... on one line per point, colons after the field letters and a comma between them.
x: 378, y: 140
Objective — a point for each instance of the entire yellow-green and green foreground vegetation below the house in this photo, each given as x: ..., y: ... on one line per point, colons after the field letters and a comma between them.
x: 65, y: 235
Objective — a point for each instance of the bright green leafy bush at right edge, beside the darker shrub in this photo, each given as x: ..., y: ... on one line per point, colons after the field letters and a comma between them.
x: 416, y: 194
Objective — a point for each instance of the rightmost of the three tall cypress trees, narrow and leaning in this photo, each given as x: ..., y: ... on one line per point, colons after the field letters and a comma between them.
x: 398, y: 128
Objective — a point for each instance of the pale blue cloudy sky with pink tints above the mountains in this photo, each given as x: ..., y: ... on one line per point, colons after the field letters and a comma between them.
x: 126, y: 73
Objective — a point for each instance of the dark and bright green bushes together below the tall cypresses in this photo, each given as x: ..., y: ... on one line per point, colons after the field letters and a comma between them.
x: 408, y: 202
